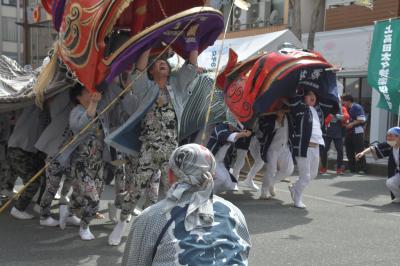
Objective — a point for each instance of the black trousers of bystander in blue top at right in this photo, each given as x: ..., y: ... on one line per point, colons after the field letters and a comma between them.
x: 355, y: 144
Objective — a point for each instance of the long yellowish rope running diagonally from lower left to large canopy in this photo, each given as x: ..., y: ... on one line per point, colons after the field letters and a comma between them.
x: 95, y: 119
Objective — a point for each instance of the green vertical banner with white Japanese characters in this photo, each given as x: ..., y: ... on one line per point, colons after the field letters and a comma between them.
x: 384, y: 64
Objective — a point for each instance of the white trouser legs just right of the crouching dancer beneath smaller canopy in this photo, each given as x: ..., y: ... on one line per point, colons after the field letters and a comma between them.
x: 254, y: 149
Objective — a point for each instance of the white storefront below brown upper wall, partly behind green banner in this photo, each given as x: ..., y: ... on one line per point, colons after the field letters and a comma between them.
x: 349, y: 49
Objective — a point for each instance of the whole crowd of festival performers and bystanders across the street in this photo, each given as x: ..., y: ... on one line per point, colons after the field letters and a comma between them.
x: 185, y: 177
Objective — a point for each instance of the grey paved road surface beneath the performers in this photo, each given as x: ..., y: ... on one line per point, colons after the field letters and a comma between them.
x: 349, y: 221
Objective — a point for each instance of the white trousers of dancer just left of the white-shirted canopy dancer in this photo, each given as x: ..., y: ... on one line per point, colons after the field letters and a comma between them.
x: 279, y: 166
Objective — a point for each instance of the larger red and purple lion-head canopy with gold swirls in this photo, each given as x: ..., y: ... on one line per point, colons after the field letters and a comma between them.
x: 85, y: 27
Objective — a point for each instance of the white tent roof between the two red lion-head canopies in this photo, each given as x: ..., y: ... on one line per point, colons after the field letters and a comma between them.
x: 245, y: 47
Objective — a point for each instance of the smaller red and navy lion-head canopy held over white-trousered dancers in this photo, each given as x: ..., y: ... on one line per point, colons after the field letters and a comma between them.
x: 257, y: 88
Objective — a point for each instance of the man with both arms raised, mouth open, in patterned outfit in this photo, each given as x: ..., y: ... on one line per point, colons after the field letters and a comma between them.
x: 158, y: 129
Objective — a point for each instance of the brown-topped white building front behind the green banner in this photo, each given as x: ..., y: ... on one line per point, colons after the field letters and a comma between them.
x: 346, y: 41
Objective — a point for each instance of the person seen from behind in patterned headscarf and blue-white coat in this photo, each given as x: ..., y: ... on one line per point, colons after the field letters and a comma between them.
x: 191, y: 226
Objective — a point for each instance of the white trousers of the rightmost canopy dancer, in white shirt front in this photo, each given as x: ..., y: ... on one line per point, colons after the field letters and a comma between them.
x: 308, y: 169
